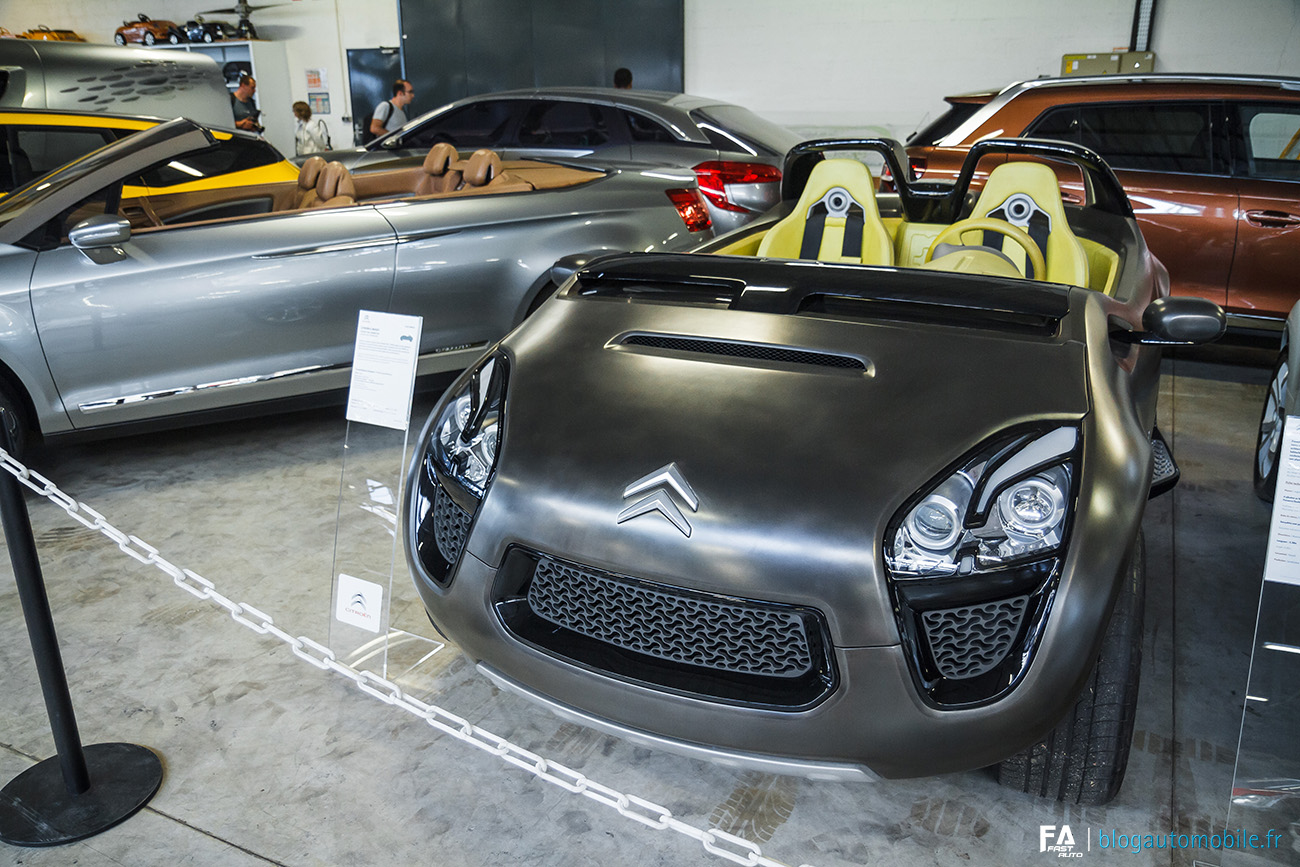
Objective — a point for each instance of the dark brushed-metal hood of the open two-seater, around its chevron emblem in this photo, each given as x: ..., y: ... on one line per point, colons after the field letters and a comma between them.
x: 799, y: 466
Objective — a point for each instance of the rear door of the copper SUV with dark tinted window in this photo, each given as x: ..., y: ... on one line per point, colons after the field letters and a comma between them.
x: 1173, y: 162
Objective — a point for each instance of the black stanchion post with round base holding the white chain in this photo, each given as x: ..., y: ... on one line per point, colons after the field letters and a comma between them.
x: 80, y: 792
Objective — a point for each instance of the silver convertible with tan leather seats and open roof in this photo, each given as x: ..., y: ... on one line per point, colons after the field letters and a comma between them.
x: 146, y: 284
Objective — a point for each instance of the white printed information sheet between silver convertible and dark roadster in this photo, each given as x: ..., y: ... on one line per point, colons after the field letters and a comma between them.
x: 384, y: 363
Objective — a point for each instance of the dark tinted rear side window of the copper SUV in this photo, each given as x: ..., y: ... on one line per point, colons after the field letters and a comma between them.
x: 1173, y: 137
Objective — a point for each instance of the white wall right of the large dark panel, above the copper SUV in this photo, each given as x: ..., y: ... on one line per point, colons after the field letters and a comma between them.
x: 883, y: 67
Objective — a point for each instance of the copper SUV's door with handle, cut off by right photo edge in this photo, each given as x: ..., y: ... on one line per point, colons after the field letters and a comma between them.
x: 1267, y: 161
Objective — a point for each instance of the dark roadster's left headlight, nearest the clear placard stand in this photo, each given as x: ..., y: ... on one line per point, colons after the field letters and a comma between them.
x: 466, y: 436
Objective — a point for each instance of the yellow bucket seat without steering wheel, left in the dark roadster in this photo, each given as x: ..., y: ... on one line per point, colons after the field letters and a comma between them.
x: 835, y: 220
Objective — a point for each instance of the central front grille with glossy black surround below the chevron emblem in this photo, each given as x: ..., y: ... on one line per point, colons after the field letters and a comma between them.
x: 710, y: 647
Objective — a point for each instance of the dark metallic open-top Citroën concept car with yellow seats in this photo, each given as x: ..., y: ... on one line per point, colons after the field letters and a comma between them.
x: 855, y: 492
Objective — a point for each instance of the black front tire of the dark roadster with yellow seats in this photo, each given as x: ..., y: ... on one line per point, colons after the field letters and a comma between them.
x: 1084, y: 760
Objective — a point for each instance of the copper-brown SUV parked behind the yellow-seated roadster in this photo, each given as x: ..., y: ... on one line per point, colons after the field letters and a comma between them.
x: 1211, y: 164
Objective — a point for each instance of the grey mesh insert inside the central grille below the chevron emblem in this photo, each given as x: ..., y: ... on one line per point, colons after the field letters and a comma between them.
x: 734, y: 638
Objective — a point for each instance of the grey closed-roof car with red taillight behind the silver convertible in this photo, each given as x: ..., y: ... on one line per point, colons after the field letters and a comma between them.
x: 735, y: 154
